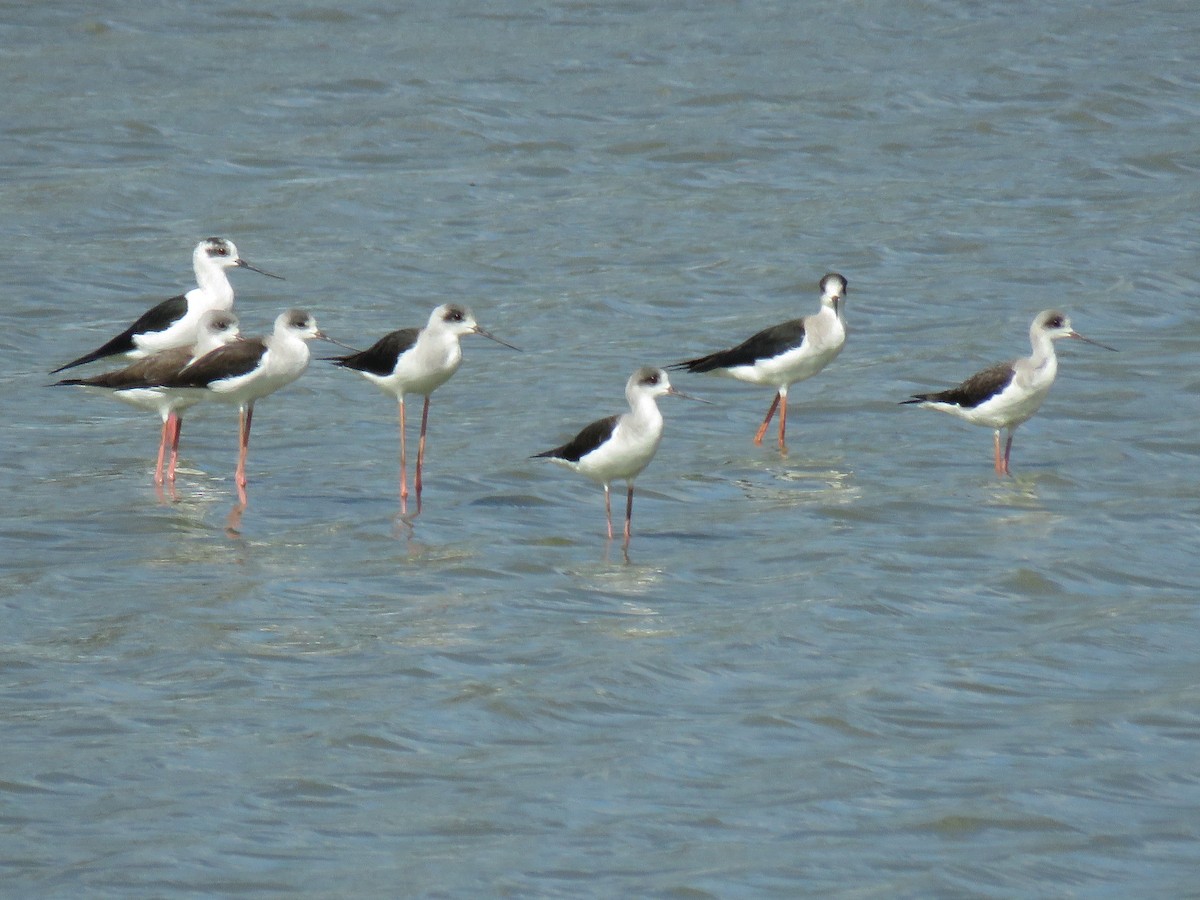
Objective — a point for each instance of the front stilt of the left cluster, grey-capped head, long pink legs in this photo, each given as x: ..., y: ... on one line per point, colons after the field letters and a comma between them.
x: 249, y: 370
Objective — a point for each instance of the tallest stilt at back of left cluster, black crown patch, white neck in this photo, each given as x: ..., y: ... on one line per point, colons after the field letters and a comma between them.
x: 175, y: 322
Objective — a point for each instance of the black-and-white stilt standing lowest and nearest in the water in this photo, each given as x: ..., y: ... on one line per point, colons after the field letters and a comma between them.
x: 621, y: 447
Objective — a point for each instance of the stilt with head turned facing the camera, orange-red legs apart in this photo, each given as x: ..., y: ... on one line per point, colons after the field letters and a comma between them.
x: 784, y: 355
